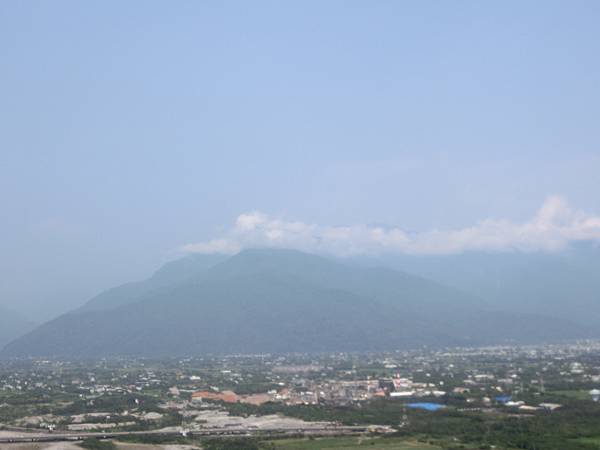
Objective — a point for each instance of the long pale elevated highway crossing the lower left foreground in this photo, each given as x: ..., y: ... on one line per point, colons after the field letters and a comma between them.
x: 208, y: 432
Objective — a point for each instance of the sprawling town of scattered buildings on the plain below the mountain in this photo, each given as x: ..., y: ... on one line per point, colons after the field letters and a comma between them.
x: 275, y: 397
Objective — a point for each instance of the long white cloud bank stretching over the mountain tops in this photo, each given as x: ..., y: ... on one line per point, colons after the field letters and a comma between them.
x: 552, y: 228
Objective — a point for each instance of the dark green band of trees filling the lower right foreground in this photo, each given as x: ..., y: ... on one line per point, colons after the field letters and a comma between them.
x: 560, y: 430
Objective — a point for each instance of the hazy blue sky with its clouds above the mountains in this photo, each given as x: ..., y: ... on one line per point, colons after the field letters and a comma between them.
x: 132, y: 133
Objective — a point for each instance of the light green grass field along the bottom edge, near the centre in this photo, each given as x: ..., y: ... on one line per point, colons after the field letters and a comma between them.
x: 352, y: 442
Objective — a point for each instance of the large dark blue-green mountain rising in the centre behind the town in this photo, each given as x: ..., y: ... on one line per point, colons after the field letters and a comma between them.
x: 281, y: 301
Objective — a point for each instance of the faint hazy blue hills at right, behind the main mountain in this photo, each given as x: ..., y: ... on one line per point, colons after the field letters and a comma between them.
x: 561, y: 284
